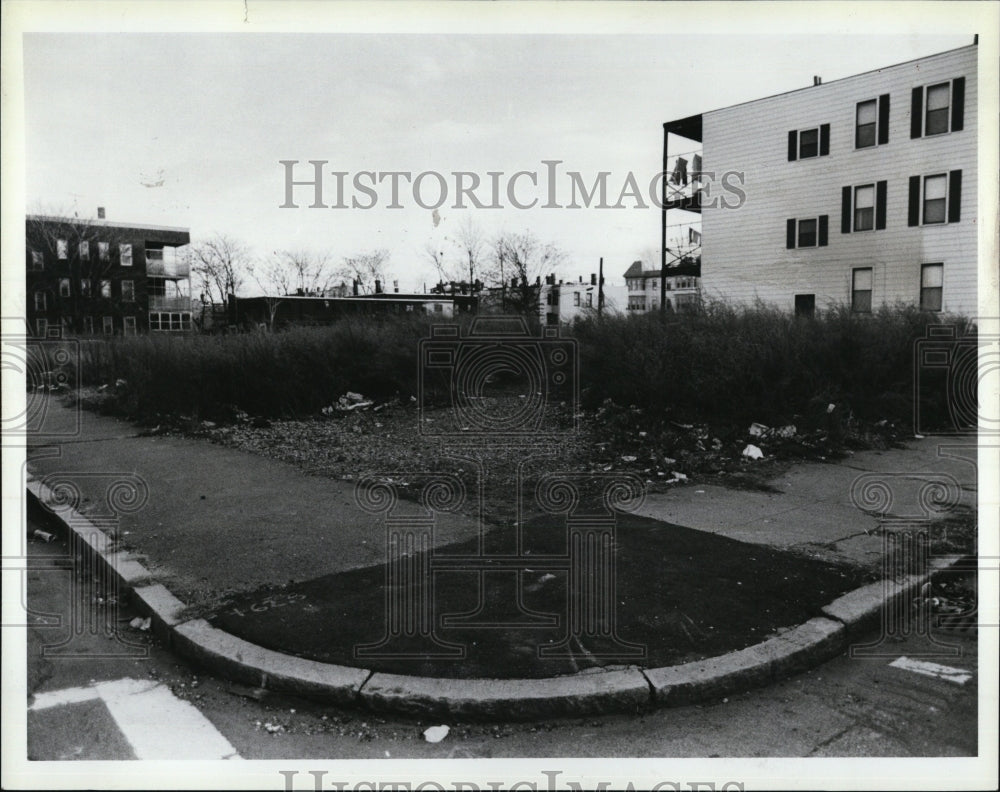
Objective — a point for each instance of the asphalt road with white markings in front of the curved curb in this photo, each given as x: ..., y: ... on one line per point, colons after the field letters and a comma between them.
x: 125, y: 696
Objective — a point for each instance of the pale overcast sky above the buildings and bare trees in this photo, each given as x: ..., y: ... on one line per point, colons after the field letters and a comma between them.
x: 189, y: 129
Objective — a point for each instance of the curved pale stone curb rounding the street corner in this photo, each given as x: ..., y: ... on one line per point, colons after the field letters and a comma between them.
x: 595, y: 691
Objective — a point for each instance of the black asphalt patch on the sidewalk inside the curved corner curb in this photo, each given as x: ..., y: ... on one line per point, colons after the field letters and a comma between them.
x: 679, y: 595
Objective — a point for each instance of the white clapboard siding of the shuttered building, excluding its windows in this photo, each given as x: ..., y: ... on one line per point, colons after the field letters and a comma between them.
x: 744, y: 253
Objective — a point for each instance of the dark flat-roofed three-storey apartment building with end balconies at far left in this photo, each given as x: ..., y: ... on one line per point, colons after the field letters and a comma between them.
x: 94, y: 277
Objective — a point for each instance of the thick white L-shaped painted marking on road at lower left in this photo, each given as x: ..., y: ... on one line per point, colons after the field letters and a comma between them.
x: 156, y: 723
